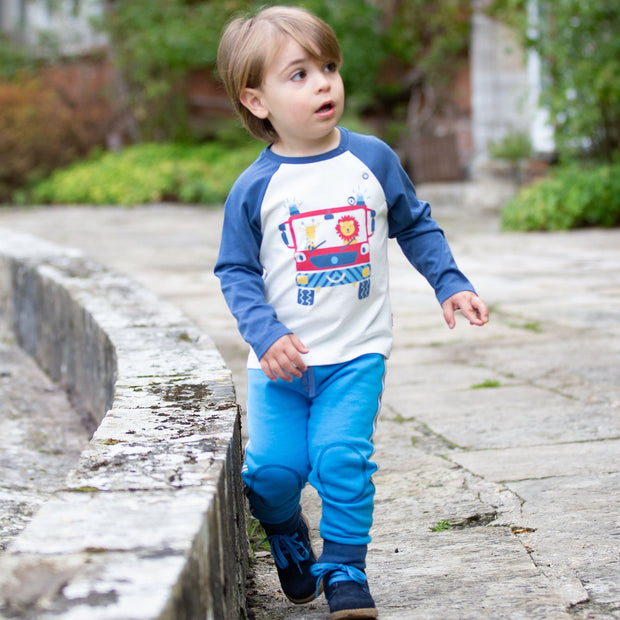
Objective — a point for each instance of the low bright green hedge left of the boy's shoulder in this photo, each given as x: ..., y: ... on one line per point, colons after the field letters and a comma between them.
x: 149, y: 173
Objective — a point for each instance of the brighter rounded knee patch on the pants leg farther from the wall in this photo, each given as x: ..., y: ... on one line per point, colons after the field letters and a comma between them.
x: 342, y: 472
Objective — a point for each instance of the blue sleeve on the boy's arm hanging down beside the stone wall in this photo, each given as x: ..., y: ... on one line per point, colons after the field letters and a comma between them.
x: 239, y: 269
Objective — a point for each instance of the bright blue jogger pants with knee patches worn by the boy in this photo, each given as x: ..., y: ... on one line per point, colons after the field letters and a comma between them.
x: 317, y: 429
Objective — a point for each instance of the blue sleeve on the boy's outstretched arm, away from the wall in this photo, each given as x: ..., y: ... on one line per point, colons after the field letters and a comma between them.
x: 418, y: 234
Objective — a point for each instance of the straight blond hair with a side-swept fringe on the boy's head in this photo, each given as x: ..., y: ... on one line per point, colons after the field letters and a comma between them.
x: 249, y: 44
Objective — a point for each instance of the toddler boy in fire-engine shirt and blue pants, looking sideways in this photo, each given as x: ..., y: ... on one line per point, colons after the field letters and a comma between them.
x: 303, y: 267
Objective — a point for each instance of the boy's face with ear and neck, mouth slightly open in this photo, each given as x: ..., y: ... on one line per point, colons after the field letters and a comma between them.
x: 303, y: 99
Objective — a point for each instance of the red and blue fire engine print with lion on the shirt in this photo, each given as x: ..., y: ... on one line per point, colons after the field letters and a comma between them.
x: 331, y: 248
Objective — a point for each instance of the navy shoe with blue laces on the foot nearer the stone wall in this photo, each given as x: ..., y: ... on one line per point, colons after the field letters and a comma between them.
x: 293, y: 556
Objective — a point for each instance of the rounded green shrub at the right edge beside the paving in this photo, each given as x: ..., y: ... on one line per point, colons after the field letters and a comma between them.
x: 574, y: 196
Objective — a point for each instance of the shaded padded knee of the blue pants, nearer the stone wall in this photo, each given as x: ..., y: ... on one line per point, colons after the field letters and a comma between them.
x: 272, y: 487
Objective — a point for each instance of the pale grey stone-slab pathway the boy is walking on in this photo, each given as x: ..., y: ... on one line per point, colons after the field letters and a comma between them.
x: 498, y: 492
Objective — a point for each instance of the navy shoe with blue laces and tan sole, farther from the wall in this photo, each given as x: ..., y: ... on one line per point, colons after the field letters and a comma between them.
x: 346, y: 590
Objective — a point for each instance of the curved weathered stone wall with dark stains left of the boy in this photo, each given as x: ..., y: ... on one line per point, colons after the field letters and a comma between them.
x: 151, y: 522
